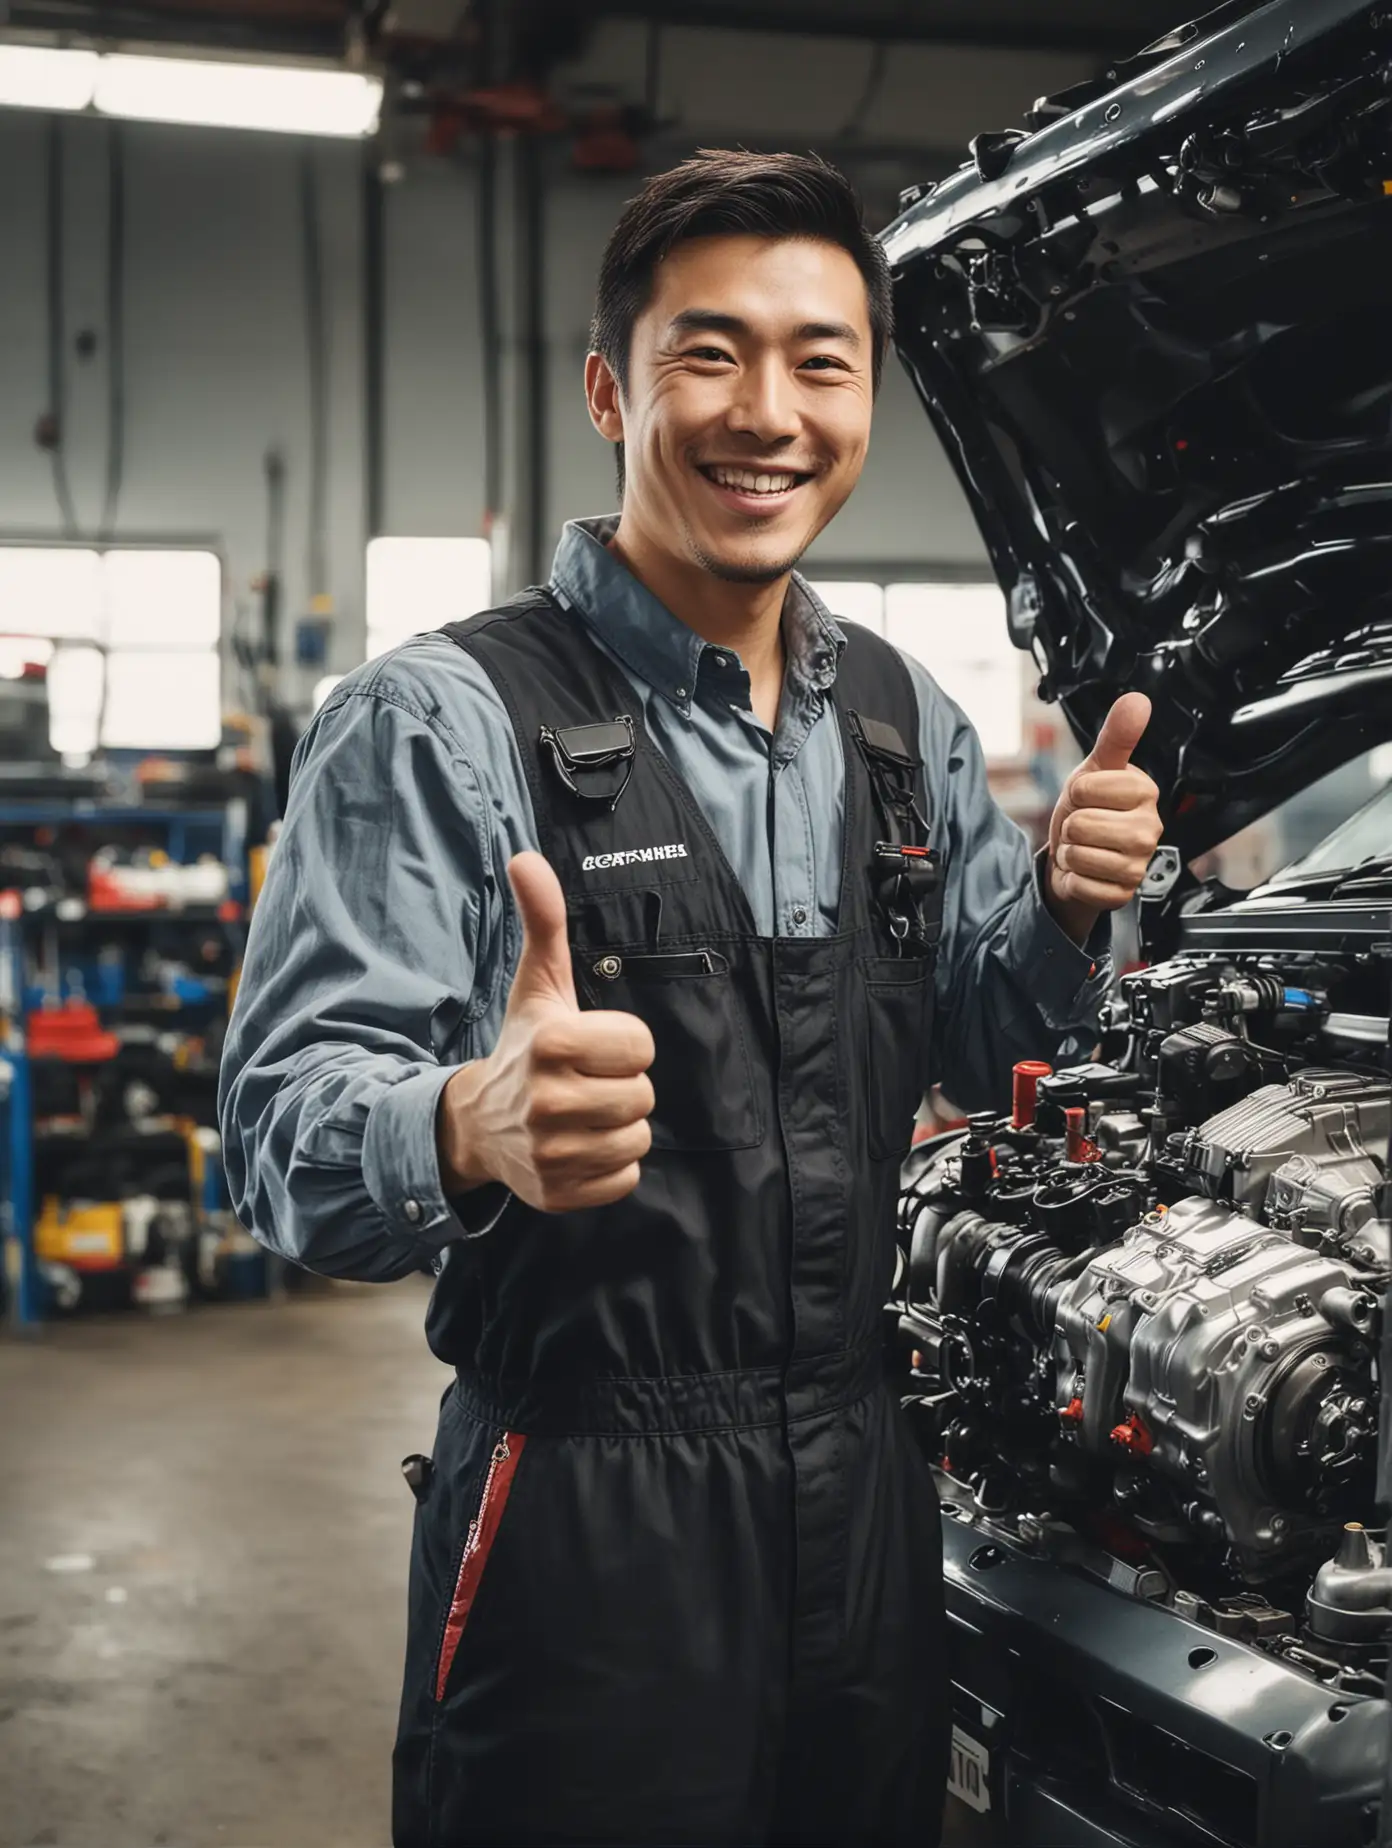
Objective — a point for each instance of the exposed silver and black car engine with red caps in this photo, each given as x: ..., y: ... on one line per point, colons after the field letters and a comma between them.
x: 1145, y: 1309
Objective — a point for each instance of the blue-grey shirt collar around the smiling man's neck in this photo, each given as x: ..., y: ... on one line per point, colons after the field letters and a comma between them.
x: 657, y: 646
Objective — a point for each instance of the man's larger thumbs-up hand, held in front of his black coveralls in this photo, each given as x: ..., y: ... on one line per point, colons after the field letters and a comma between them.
x: 559, y: 1108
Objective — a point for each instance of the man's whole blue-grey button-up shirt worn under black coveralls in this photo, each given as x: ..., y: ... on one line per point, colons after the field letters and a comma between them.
x: 384, y: 945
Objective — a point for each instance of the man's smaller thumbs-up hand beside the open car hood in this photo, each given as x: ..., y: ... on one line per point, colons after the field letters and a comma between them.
x: 1106, y: 825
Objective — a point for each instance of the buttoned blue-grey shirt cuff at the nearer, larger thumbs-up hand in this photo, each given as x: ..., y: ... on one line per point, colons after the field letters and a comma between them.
x: 402, y: 1167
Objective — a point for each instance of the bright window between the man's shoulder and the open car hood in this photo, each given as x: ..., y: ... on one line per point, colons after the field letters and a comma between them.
x: 959, y: 633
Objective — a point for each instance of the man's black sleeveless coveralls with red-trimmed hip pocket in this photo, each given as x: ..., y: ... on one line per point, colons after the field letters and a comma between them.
x: 678, y: 1577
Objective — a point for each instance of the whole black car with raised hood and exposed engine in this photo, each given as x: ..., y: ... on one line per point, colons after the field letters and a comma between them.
x: 1143, y: 1313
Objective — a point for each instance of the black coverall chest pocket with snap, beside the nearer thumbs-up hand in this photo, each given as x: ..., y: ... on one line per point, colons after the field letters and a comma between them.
x: 703, y: 1080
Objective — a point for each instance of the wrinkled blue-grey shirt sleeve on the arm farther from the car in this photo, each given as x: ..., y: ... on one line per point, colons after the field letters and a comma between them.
x: 372, y: 956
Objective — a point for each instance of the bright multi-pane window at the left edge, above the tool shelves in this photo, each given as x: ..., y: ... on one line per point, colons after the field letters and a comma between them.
x: 134, y: 642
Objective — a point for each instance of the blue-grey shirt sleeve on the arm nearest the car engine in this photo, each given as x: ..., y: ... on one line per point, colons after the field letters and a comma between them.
x: 1010, y: 982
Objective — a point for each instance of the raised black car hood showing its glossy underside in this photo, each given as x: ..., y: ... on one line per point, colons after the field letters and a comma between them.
x: 1156, y: 335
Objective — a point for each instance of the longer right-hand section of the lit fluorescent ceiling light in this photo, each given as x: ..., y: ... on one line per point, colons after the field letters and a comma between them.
x: 287, y: 99
